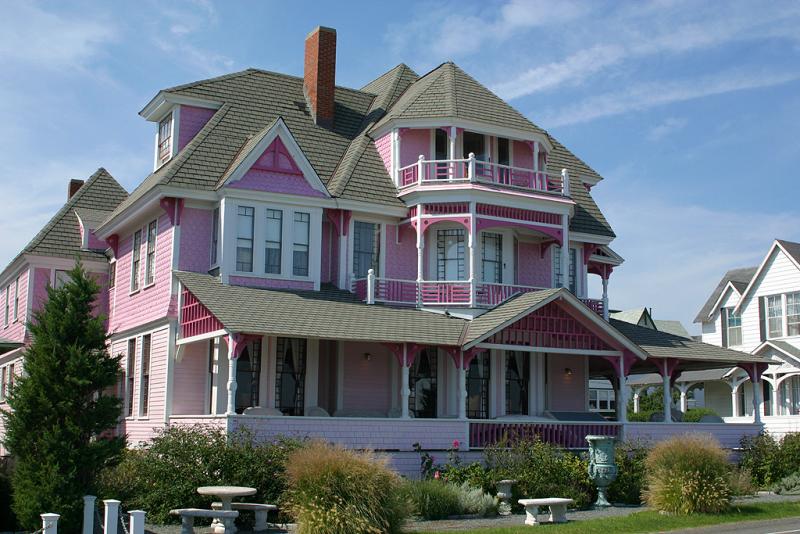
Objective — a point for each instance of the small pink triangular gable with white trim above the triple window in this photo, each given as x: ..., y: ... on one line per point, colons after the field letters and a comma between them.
x: 273, y: 162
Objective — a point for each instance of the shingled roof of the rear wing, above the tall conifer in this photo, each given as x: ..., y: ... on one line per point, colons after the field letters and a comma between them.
x: 61, y: 236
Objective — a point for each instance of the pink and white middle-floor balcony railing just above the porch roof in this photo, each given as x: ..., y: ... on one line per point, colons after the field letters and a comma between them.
x: 445, y: 293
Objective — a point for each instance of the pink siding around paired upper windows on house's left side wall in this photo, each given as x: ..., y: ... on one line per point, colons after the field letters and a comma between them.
x: 149, y: 303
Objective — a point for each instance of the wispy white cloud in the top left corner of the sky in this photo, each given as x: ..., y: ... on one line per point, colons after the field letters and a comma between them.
x: 32, y: 36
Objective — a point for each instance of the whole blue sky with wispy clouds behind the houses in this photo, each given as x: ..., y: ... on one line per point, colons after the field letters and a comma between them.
x: 690, y: 110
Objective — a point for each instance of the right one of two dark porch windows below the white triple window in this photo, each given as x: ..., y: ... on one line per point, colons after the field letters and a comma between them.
x: 290, y: 375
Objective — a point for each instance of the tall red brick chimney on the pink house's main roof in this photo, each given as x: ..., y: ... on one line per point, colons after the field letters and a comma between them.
x: 319, y: 76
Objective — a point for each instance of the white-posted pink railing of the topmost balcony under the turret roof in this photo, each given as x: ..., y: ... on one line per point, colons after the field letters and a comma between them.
x: 456, y: 172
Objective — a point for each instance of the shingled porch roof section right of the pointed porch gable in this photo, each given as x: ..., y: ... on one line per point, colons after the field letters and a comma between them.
x: 694, y: 354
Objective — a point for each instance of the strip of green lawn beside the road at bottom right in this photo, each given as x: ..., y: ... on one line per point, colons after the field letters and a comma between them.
x: 655, y: 522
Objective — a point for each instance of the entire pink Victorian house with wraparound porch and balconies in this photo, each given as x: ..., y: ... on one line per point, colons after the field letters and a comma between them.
x: 405, y: 262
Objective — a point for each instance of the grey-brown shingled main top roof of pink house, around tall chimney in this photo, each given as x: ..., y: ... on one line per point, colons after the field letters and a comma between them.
x: 344, y: 156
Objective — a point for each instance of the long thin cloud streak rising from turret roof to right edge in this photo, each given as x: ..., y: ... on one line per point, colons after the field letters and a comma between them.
x: 651, y: 94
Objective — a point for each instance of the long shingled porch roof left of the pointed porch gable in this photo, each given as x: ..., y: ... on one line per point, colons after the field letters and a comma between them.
x: 329, y: 314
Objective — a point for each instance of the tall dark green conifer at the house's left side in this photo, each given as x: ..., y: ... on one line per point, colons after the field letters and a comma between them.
x: 61, y: 409
